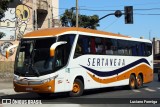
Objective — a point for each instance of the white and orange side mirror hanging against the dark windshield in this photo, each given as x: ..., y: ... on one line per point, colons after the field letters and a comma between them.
x: 53, y: 47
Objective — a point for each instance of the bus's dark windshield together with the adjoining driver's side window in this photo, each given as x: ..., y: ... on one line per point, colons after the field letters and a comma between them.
x: 33, y: 56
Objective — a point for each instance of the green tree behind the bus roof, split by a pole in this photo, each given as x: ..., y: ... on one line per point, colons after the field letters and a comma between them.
x: 69, y: 20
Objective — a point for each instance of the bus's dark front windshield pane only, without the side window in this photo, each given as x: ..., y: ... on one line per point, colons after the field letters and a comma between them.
x: 33, y: 57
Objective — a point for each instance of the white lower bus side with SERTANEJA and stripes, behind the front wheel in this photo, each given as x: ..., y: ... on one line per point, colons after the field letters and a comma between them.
x: 108, y: 71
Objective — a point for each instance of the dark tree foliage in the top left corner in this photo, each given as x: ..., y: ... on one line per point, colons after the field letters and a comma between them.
x: 3, y: 7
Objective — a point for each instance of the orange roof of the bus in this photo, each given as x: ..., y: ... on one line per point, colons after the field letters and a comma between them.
x: 56, y: 31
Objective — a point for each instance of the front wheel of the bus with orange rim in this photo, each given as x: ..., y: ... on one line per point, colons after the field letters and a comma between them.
x: 78, y: 88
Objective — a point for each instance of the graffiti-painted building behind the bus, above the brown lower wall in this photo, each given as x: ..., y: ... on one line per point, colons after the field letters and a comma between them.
x: 24, y: 16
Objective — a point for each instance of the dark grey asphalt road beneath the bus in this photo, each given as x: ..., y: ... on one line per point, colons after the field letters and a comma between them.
x: 147, y: 96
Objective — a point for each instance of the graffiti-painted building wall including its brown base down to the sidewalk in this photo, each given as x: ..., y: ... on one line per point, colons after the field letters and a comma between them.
x: 19, y: 20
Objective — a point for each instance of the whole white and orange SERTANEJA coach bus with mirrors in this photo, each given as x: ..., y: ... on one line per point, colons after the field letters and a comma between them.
x: 74, y: 59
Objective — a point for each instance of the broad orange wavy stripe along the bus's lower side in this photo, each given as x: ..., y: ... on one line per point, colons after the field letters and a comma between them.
x: 144, y: 69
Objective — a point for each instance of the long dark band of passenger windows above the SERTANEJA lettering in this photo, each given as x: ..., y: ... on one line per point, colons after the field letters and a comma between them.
x: 110, y: 46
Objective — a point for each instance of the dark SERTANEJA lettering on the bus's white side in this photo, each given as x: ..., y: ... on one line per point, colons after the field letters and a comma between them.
x: 105, y: 62
